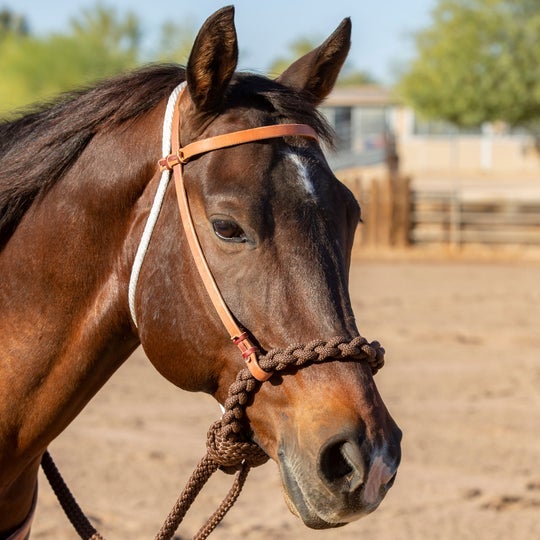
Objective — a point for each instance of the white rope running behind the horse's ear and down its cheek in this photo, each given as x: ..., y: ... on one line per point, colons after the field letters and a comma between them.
x: 156, y: 205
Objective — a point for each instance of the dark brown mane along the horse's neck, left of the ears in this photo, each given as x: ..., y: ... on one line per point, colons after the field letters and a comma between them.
x: 38, y: 148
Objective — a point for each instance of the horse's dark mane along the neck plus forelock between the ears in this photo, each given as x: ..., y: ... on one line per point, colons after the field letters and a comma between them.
x: 40, y: 146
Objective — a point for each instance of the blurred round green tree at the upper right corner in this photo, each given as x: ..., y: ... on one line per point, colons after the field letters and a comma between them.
x: 479, y: 61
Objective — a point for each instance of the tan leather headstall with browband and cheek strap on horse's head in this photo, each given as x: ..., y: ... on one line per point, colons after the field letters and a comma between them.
x: 176, y: 161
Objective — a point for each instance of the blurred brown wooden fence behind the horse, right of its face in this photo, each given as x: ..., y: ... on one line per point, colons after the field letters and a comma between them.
x: 394, y: 215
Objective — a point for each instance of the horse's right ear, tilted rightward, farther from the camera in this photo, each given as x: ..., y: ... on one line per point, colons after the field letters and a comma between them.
x: 317, y: 71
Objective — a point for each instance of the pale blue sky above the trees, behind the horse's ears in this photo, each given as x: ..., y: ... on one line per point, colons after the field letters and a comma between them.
x: 381, y: 38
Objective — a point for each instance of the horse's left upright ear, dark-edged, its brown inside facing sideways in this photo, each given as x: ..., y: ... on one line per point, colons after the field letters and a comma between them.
x: 212, y: 60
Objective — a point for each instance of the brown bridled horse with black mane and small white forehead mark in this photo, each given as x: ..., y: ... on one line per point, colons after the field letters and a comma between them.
x: 78, y: 178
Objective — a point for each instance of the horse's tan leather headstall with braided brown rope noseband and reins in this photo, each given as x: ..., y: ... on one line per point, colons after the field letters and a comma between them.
x: 229, y: 444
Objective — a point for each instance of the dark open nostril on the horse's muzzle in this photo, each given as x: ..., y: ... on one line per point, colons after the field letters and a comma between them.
x: 341, y: 465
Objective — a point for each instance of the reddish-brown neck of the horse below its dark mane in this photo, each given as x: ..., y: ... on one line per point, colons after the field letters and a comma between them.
x: 64, y: 317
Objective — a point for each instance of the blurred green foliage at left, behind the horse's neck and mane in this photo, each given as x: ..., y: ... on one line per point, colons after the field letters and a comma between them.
x: 99, y: 43
